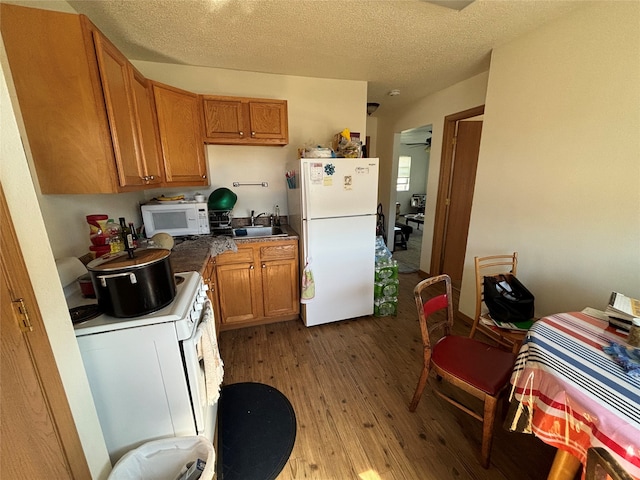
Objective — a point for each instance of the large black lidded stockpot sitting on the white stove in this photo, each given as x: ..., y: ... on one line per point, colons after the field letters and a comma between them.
x: 130, y: 287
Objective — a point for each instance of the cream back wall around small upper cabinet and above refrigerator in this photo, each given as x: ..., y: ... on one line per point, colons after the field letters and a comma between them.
x: 318, y: 109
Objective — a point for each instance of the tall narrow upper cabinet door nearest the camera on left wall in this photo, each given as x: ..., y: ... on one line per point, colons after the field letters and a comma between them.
x: 120, y: 111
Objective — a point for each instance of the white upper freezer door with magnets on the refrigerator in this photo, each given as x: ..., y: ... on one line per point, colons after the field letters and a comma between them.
x: 335, y: 187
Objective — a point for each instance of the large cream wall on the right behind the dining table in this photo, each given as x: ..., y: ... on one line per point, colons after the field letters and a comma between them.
x: 559, y: 167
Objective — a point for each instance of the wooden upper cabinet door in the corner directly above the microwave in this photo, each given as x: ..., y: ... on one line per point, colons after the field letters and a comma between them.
x: 179, y: 119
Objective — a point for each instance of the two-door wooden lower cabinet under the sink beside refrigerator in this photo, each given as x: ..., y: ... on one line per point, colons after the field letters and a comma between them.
x: 257, y: 284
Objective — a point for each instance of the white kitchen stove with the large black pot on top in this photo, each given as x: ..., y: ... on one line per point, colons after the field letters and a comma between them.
x: 146, y: 373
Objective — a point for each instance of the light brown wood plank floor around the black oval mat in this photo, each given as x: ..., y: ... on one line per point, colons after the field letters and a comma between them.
x: 350, y: 383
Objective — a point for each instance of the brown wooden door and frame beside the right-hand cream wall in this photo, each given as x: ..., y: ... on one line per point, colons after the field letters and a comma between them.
x: 461, y: 144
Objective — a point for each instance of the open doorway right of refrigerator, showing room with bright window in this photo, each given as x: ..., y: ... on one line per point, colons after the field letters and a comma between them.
x: 414, y: 148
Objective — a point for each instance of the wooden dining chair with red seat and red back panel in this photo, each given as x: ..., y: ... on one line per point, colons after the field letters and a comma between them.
x: 468, y: 364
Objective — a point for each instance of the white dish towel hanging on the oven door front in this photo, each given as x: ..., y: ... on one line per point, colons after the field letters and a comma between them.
x: 209, y: 355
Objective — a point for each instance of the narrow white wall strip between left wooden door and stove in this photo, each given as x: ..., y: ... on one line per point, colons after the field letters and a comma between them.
x: 30, y: 229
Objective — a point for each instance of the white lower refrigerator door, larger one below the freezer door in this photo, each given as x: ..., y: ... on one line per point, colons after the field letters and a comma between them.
x: 342, y: 263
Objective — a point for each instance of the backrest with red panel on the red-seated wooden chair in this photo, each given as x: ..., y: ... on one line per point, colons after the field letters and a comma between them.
x: 429, y: 300
